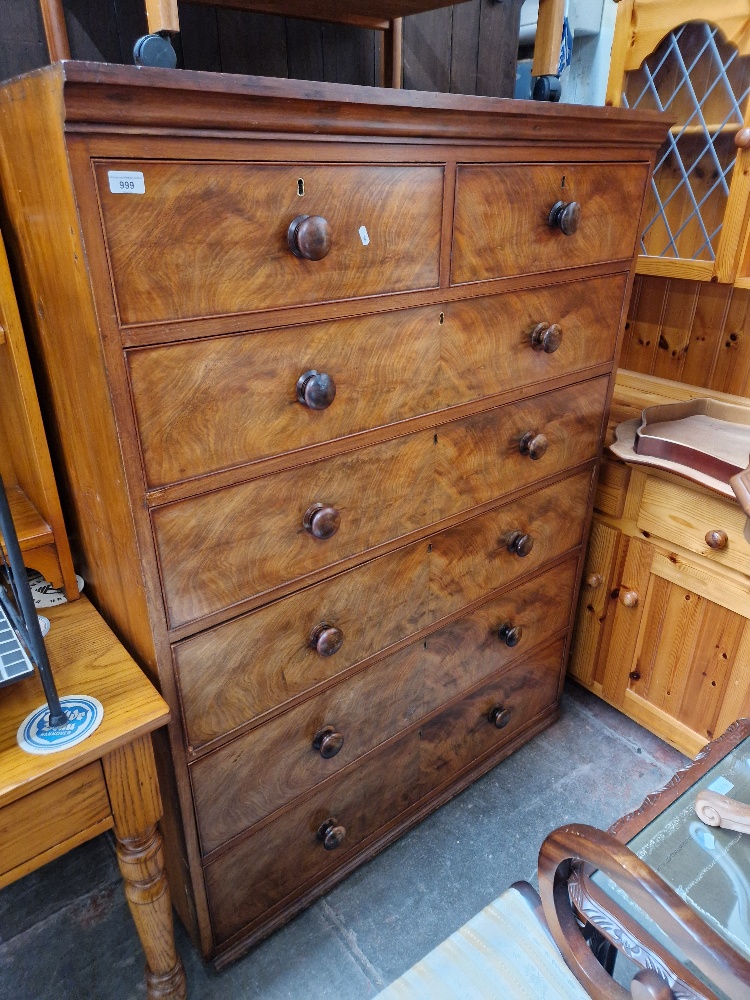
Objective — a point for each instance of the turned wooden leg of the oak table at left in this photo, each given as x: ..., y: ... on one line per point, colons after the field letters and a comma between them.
x: 136, y: 806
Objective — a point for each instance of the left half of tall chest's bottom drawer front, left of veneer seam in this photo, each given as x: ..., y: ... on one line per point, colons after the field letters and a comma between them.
x: 278, y: 859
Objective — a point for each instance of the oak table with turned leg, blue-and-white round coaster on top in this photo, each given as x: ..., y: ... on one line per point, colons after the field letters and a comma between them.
x: 50, y: 804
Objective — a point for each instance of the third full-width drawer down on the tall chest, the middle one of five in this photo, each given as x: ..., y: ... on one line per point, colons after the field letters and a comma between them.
x: 230, y: 675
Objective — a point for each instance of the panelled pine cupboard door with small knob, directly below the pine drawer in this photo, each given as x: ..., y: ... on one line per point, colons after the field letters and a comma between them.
x: 680, y: 644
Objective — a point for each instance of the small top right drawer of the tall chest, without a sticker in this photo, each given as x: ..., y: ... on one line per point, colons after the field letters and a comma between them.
x: 501, y: 218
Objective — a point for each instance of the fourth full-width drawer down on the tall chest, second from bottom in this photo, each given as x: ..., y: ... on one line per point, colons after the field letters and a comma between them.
x: 370, y: 707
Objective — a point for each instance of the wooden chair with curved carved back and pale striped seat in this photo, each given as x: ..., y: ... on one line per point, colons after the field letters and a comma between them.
x: 520, y: 946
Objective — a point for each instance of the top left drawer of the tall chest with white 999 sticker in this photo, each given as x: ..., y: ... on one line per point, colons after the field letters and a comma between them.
x: 210, y: 238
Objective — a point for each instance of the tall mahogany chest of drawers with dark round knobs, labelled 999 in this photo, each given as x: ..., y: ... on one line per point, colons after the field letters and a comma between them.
x: 325, y: 371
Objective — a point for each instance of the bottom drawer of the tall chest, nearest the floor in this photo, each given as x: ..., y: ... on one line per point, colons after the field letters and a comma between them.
x: 286, y: 855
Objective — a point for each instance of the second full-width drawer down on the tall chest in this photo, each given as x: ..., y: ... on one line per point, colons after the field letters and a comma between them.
x: 240, y: 542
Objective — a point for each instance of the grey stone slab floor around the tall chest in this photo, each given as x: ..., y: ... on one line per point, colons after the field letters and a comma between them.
x: 66, y: 934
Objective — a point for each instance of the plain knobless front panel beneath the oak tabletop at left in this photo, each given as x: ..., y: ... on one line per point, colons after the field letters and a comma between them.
x: 45, y: 824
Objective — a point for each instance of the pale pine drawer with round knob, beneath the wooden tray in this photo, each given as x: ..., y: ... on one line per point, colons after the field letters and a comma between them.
x: 691, y: 517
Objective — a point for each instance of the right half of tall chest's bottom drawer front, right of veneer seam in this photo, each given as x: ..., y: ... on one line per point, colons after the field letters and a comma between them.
x: 469, y: 729
